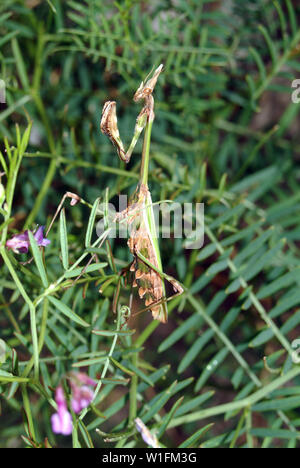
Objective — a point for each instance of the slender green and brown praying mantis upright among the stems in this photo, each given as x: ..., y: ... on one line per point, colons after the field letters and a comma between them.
x: 143, y: 243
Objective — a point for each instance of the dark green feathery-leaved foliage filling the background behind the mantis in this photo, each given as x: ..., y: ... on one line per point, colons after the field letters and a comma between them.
x: 226, y: 133
